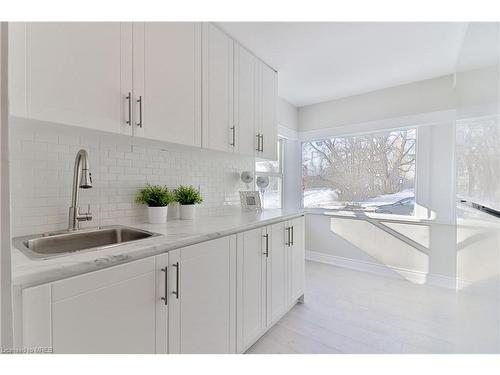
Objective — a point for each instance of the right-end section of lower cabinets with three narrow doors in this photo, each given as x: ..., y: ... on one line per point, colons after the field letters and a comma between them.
x: 270, y: 275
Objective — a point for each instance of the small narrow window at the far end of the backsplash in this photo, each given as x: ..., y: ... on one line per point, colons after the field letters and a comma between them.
x: 270, y: 173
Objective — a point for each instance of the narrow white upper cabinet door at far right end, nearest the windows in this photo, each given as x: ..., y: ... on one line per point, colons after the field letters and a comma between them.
x: 269, y: 126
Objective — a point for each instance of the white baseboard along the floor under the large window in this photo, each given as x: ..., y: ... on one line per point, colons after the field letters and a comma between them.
x: 413, y: 276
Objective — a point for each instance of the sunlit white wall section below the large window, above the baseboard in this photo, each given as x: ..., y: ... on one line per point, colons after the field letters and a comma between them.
x: 360, y: 242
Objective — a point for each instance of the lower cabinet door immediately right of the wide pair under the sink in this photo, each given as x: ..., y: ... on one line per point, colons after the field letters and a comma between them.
x: 251, y: 283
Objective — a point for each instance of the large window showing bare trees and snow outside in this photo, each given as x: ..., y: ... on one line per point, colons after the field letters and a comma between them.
x: 370, y: 172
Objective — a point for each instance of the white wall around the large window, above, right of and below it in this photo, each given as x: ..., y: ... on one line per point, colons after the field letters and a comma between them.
x: 428, y: 106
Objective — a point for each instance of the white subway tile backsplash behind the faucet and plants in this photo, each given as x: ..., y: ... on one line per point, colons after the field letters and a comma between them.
x: 42, y: 157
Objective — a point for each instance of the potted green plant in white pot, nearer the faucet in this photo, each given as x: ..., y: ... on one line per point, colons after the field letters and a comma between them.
x: 157, y: 198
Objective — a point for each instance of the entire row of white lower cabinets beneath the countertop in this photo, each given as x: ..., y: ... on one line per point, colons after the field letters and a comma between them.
x: 218, y: 296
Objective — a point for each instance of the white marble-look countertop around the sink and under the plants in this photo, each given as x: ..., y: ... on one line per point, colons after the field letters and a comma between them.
x: 175, y: 234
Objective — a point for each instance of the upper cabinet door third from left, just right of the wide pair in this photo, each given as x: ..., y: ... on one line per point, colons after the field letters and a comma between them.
x: 217, y: 89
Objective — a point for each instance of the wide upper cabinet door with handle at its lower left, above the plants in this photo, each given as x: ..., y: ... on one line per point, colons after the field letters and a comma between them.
x: 167, y: 81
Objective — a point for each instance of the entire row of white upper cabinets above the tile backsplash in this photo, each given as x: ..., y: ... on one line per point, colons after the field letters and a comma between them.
x: 181, y: 82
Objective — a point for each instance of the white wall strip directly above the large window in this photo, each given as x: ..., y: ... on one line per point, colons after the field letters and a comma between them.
x: 414, y: 98
